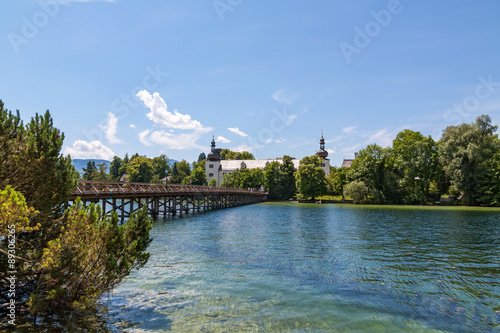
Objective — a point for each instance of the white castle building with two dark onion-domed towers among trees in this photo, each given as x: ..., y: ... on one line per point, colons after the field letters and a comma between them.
x: 215, y: 168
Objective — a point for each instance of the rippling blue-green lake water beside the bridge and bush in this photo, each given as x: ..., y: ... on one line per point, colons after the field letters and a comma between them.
x: 318, y: 268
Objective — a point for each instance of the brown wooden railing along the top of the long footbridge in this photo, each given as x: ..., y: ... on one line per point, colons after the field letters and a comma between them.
x: 100, y: 187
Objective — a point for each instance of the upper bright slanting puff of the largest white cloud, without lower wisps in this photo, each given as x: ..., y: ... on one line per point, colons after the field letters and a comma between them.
x: 161, y: 116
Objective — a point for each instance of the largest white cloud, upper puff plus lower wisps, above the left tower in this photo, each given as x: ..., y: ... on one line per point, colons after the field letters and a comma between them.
x: 170, y: 123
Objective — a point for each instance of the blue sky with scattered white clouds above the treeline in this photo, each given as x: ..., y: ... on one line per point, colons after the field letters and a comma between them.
x: 162, y: 77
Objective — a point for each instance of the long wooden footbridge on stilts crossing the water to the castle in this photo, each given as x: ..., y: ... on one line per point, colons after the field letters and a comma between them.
x: 162, y: 199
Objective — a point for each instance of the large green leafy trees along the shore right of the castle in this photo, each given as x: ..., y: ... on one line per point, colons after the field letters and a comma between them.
x: 464, y: 164
